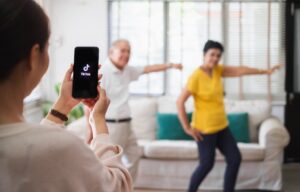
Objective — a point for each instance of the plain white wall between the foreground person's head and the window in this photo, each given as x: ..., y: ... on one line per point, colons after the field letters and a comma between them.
x: 73, y: 23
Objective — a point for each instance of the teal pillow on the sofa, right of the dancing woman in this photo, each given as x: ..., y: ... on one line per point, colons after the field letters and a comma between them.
x: 239, y: 126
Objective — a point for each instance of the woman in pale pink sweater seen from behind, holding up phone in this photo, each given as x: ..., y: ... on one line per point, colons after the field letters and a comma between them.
x: 44, y: 157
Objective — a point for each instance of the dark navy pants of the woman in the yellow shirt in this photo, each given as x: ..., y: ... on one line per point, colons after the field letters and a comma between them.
x: 226, y: 143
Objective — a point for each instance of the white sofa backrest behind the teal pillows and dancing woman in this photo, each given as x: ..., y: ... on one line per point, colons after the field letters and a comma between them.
x: 144, y: 113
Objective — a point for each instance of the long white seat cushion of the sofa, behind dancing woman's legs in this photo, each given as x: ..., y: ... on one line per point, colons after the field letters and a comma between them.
x: 167, y: 149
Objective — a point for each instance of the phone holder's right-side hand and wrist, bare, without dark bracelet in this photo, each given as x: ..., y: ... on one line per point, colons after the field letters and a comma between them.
x: 97, y: 115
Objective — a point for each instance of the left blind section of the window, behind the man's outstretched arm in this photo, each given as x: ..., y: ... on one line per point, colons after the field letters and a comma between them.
x: 142, y: 24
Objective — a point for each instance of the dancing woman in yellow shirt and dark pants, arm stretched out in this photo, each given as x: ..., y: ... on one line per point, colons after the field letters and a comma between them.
x: 209, y: 125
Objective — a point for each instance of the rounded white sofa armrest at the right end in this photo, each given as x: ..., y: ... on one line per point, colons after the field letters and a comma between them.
x: 273, y: 136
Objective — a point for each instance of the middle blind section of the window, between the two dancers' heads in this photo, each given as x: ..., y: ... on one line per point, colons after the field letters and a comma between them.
x: 200, y: 22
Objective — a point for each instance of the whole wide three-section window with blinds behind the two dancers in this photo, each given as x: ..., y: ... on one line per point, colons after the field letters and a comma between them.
x: 252, y: 32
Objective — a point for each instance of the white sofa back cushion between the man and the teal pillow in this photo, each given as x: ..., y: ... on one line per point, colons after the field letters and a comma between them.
x: 143, y: 113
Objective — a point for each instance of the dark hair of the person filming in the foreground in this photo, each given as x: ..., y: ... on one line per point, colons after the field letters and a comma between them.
x: 23, y: 23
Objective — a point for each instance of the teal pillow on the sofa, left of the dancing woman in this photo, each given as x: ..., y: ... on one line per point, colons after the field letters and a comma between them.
x: 169, y: 127
